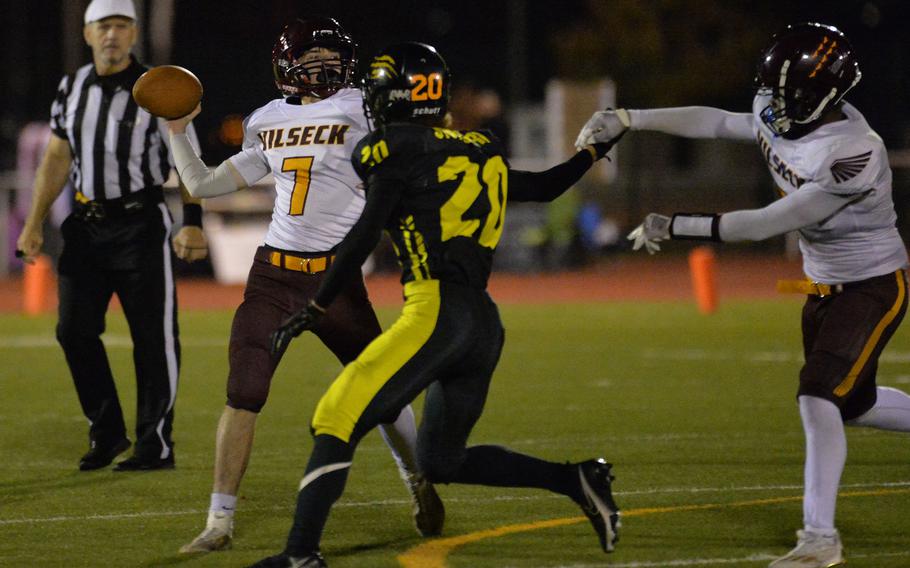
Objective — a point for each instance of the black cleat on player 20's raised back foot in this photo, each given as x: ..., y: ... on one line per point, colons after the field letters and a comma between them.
x: 598, y: 505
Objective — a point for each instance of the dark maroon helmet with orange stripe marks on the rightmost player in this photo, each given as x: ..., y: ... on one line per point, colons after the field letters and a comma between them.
x: 806, y: 71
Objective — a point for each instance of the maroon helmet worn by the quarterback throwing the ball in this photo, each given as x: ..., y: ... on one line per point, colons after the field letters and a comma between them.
x: 316, y: 77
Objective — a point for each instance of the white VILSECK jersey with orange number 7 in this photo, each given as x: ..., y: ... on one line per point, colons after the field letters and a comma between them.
x: 308, y: 150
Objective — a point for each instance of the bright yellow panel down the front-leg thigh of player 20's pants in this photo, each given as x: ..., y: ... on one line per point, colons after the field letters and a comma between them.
x: 343, y: 404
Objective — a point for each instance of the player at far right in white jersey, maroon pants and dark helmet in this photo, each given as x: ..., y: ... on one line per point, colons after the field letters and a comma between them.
x: 833, y: 174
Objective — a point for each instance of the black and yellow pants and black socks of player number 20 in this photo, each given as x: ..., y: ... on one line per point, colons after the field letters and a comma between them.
x: 447, y: 342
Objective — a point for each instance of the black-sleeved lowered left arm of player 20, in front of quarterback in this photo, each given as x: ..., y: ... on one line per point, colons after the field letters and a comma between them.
x: 382, y: 198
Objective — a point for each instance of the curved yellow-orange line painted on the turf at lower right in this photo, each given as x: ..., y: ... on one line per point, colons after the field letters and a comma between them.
x: 433, y: 554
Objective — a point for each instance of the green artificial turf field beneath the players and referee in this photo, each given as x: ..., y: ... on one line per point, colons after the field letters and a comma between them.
x: 692, y: 410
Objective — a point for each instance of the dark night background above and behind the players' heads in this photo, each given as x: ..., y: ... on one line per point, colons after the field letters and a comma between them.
x: 228, y: 43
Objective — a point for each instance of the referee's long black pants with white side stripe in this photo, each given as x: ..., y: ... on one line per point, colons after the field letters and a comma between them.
x: 131, y: 256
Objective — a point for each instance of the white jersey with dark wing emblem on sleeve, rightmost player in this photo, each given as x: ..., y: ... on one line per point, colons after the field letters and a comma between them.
x: 846, y: 158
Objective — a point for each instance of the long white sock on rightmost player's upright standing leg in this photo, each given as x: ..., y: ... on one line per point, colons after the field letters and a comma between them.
x: 826, y: 453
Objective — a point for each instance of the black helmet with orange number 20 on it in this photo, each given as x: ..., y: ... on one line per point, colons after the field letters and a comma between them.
x: 406, y: 82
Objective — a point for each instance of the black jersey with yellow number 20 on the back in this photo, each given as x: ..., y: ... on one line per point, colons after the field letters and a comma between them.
x: 451, y: 212
